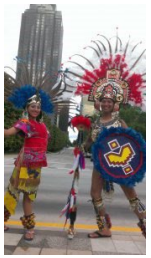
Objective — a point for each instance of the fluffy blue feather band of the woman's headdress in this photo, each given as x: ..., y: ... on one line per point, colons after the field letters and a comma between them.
x: 20, y: 97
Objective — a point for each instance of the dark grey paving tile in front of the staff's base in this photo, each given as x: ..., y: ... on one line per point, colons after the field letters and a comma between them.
x: 79, y: 244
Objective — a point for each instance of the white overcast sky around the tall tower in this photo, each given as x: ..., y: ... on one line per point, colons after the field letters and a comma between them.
x: 81, y: 24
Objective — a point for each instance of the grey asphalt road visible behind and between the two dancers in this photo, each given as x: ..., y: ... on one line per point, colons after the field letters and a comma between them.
x: 55, y: 186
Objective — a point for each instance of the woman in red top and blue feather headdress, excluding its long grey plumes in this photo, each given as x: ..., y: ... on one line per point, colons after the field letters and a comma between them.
x: 32, y: 157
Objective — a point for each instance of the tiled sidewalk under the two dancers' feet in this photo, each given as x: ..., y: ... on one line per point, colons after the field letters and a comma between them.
x: 54, y: 242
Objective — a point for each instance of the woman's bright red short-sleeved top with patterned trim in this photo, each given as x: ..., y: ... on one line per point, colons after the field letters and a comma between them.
x: 35, y: 144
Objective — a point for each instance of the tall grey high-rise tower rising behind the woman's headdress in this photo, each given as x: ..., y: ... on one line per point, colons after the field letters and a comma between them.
x: 40, y: 44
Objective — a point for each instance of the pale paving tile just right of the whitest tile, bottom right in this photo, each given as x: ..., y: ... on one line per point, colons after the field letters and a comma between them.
x: 126, y: 247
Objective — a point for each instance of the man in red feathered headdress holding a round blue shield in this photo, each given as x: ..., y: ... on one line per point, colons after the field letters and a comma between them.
x: 111, y: 77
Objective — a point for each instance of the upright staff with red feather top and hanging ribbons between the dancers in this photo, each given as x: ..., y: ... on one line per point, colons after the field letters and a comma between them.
x: 70, y: 210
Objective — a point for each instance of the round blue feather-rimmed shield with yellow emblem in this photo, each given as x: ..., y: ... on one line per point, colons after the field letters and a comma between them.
x: 119, y: 154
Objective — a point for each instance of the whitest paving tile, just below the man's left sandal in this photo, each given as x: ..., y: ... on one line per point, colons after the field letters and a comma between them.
x: 103, y: 245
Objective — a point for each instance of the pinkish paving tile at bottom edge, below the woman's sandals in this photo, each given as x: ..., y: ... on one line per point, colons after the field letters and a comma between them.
x: 26, y: 251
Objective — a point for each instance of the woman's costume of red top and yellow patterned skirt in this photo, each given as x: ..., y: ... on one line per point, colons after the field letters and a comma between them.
x: 27, y: 172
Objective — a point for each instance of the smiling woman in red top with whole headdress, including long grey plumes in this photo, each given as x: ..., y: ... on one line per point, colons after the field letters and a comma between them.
x: 32, y: 157
